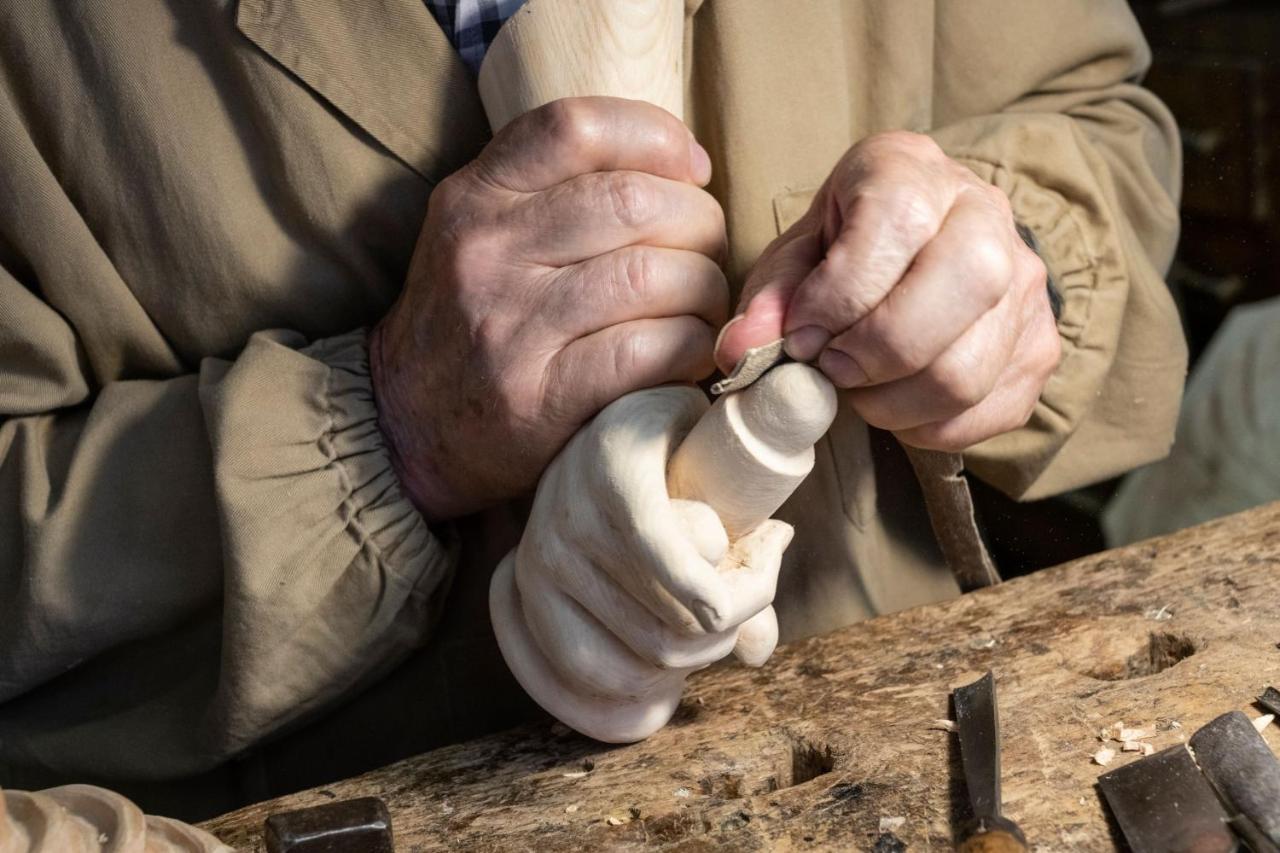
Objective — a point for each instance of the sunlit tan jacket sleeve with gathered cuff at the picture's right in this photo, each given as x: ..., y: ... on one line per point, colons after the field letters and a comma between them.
x: 1043, y: 99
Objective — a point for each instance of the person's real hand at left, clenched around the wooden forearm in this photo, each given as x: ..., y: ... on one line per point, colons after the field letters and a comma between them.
x: 573, y: 262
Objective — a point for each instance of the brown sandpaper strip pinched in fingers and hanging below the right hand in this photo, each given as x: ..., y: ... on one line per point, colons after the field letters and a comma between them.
x: 947, y: 492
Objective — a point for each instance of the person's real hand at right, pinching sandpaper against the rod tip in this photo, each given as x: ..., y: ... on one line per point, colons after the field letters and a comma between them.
x: 909, y: 286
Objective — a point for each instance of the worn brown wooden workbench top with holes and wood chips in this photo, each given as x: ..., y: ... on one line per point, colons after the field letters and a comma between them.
x: 835, y: 735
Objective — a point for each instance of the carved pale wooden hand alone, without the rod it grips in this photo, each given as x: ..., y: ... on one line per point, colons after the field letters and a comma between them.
x: 618, y: 592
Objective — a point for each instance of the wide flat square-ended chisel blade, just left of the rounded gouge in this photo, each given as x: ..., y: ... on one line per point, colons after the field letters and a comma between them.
x: 1164, y: 805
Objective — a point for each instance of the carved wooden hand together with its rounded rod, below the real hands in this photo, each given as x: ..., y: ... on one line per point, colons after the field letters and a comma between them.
x: 616, y: 482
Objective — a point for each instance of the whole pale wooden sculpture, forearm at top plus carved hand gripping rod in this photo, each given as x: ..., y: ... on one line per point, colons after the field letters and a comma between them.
x: 620, y: 587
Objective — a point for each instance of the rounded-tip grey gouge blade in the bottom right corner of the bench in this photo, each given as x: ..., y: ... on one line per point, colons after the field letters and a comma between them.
x: 1246, y: 776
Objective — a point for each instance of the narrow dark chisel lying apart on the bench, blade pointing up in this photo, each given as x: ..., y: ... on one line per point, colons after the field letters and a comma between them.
x: 979, y: 729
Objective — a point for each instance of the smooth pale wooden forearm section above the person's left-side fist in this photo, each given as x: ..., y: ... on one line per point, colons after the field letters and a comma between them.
x: 554, y: 49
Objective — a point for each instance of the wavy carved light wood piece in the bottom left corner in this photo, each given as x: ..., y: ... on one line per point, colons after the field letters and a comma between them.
x: 84, y: 819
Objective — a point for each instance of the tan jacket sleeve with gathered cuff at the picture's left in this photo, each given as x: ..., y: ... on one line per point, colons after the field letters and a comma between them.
x: 188, y: 563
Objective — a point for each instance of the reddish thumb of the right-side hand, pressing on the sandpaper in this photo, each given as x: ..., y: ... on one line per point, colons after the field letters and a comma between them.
x: 767, y: 293
